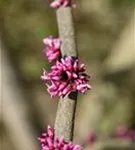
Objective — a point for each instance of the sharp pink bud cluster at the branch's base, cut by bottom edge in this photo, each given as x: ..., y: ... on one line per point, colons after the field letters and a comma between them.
x: 50, y: 142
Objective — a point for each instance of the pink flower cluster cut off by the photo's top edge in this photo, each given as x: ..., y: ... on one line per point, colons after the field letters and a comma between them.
x: 61, y: 3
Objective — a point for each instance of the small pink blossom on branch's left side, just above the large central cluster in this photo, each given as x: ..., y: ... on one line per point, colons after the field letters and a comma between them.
x: 52, y: 49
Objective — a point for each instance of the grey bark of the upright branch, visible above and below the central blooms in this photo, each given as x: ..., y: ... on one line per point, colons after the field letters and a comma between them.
x: 64, y: 124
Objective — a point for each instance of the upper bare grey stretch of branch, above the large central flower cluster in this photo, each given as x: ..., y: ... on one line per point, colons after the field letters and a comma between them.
x: 66, y: 31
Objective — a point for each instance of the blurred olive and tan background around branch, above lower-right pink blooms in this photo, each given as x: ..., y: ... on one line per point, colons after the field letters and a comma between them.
x: 106, y: 44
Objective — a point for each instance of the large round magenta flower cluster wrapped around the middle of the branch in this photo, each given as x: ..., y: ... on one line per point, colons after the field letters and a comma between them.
x: 66, y: 76
